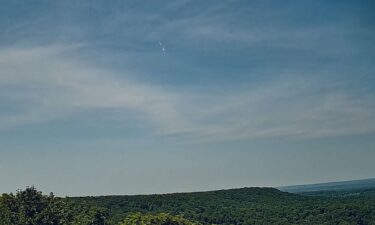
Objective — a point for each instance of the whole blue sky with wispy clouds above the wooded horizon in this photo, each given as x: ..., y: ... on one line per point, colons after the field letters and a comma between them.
x: 134, y: 97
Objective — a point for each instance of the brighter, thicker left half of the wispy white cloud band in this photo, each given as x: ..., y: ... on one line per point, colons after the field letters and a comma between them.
x: 50, y: 84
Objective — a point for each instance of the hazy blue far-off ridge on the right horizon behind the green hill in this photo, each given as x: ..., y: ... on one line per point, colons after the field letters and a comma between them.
x: 331, y: 186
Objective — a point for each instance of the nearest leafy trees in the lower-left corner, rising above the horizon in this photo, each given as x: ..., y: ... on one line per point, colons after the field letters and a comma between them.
x: 31, y: 207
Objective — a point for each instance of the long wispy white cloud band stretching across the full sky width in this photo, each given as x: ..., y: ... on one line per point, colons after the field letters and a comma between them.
x: 40, y: 84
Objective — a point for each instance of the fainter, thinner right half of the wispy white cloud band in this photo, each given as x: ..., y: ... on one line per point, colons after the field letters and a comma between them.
x: 280, y: 111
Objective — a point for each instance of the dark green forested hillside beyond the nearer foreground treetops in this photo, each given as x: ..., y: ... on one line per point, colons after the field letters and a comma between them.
x: 244, y: 206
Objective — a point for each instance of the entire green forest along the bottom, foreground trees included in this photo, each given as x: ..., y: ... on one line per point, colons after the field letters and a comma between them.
x: 236, y: 206
